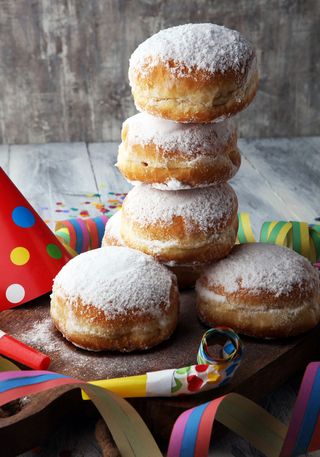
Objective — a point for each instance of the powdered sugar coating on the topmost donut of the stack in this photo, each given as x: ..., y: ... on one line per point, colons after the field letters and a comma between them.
x: 208, y: 47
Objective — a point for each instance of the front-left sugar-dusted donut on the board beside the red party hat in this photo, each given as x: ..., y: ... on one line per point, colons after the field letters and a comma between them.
x: 115, y: 299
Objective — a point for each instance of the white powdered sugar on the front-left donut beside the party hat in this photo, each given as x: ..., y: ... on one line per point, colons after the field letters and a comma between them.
x: 116, y: 280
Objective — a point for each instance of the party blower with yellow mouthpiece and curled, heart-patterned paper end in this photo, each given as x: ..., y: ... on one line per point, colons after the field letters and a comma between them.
x: 210, y: 372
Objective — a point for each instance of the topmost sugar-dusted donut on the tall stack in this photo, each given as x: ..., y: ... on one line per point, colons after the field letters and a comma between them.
x: 194, y: 73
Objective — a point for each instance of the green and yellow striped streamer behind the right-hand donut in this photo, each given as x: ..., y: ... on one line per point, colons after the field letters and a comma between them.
x: 299, y: 236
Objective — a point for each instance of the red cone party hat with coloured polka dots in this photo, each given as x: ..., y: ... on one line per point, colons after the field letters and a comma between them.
x: 30, y: 254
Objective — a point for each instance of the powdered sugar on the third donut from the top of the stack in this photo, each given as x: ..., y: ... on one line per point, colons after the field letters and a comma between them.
x: 207, y: 208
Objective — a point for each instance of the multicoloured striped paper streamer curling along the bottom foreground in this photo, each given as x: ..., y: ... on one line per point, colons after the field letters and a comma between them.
x: 192, y: 431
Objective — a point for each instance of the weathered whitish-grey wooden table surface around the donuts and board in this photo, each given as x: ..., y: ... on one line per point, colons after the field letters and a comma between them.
x: 278, y: 179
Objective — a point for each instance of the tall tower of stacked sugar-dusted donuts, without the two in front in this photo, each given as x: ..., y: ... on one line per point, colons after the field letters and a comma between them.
x: 181, y: 149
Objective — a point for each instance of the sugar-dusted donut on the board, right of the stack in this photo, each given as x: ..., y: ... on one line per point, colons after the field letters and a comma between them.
x: 260, y: 290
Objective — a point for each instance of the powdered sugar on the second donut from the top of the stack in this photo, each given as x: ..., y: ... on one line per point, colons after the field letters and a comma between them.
x: 193, y: 140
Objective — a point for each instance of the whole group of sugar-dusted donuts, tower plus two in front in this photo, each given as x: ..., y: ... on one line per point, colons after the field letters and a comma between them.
x: 179, y: 152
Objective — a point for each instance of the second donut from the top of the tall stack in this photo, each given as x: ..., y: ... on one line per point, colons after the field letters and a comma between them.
x: 173, y: 156
